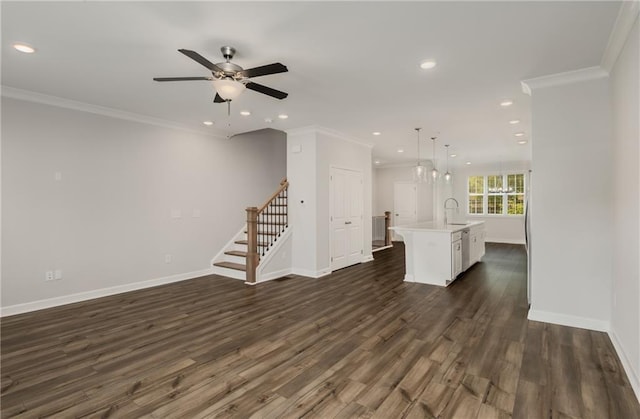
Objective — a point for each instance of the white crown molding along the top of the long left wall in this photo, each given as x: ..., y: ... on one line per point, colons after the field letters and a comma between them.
x: 30, y: 96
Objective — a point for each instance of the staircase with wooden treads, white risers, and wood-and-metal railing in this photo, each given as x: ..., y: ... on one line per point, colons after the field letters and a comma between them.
x: 265, y: 225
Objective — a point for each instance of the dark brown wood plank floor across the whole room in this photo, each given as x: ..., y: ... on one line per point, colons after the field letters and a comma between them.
x: 358, y: 343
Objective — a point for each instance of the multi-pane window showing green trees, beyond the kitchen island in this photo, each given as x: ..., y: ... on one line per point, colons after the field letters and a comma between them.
x: 496, y: 194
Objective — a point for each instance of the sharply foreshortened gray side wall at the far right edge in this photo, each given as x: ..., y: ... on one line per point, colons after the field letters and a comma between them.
x: 625, y: 319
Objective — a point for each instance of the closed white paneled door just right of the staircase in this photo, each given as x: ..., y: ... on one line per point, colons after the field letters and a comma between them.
x: 346, y: 218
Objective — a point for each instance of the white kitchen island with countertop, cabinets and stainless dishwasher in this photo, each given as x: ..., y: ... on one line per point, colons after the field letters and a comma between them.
x: 437, y: 253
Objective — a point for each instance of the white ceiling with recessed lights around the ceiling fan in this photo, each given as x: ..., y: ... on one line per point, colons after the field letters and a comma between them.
x: 353, y: 66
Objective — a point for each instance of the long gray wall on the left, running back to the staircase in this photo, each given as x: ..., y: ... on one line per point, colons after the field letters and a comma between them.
x: 110, y: 219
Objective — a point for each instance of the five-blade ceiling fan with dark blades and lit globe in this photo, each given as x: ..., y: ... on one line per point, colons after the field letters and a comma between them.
x: 230, y: 79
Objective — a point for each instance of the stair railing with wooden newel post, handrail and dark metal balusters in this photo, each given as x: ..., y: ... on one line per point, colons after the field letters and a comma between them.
x: 264, y: 227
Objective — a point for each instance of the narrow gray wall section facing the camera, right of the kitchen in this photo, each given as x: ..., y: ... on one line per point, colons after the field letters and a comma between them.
x: 571, y: 209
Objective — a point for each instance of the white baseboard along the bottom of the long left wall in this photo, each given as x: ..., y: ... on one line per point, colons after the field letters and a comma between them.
x: 103, y: 292
